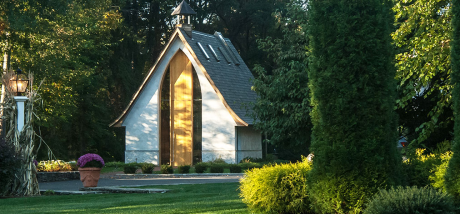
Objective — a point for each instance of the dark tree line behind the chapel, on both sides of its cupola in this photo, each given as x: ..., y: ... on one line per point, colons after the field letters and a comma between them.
x: 93, y: 55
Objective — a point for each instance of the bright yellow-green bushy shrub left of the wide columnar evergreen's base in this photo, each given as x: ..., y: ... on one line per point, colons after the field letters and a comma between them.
x: 277, y: 189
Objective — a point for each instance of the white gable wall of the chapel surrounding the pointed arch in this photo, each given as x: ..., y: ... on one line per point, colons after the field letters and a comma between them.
x: 142, y: 121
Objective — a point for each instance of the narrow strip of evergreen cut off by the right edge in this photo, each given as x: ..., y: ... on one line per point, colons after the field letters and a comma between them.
x: 452, y: 177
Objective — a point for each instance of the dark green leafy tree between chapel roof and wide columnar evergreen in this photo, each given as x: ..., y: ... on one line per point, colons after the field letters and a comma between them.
x: 283, y: 106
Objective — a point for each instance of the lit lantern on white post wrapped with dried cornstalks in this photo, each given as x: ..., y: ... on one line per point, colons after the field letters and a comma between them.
x: 18, y: 85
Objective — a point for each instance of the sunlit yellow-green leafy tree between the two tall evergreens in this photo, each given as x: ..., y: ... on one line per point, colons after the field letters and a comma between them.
x: 423, y: 40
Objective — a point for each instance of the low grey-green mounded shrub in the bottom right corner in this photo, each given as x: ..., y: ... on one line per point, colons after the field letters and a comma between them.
x: 411, y: 200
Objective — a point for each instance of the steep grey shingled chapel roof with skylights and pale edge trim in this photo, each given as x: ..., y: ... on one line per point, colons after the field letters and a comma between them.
x: 223, y: 67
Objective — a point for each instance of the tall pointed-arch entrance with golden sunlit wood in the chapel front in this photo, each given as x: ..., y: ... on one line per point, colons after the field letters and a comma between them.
x: 180, y: 139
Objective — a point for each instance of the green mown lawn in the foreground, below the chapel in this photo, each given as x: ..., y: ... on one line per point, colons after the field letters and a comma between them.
x: 200, y: 198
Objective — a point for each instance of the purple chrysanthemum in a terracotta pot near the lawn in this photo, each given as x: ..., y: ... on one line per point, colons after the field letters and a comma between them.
x: 89, y: 166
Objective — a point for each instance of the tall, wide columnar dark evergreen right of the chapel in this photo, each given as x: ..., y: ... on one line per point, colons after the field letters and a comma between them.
x: 353, y: 94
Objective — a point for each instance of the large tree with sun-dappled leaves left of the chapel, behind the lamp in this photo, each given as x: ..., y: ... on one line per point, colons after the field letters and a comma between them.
x: 67, y: 44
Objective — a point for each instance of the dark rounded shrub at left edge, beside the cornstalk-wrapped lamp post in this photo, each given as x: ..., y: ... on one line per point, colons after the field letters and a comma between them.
x: 10, y: 160
